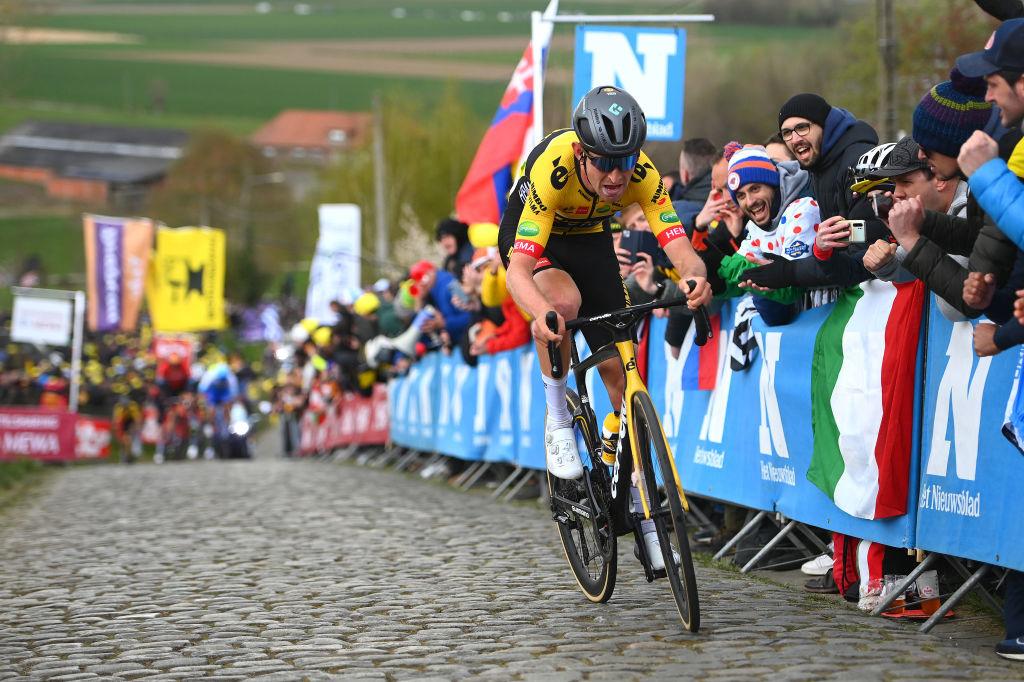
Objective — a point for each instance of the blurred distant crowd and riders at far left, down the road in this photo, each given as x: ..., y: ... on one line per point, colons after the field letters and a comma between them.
x: 124, y: 379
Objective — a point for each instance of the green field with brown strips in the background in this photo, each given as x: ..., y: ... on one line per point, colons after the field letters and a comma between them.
x: 109, y: 83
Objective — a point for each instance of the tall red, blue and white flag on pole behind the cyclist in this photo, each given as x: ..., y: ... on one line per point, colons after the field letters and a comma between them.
x: 485, y: 192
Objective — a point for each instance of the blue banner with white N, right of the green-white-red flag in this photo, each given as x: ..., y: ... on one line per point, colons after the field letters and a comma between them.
x: 969, y: 503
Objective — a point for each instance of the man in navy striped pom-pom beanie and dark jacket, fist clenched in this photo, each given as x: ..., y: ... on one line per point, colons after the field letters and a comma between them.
x: 948, y: 115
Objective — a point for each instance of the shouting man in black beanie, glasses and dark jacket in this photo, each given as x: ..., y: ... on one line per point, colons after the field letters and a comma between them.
x: 827, y: 142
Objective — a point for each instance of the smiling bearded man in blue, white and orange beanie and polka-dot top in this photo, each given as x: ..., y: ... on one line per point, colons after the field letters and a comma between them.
x: 776, y: 199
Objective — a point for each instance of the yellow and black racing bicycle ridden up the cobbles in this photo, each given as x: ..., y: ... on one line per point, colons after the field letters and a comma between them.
x: 592, y: 511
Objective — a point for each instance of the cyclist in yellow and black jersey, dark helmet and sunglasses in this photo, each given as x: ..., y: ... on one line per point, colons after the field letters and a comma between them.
x: 557, y: 243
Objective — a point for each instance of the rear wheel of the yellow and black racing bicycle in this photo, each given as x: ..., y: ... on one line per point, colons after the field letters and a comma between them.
x: 583, y: 511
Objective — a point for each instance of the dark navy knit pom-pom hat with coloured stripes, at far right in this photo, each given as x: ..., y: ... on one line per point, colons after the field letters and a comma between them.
x: 950, y: 113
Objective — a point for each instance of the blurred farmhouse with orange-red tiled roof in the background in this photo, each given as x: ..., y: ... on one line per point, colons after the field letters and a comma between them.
x: 315, y: 137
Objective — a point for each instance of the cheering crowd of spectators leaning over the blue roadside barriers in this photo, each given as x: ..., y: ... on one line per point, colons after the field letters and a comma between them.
x: 784, y: 224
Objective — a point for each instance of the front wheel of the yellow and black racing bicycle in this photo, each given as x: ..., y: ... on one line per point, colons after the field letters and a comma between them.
x: 656, y: 459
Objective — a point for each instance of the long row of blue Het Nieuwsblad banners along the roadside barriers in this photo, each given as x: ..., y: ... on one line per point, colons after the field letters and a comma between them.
x: 750, y: 441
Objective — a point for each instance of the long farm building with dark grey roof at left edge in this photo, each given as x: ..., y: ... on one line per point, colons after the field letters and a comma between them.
x: 111, y: 166
